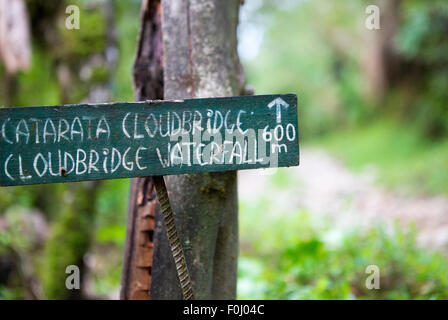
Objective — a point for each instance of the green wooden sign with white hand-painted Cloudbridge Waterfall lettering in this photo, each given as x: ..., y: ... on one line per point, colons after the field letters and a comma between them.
x: 123, y: 140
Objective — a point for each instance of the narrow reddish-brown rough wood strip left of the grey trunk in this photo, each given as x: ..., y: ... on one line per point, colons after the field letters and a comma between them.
x: 148, y: 84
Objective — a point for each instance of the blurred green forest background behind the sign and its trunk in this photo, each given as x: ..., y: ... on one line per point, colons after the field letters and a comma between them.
x: 372, y: 187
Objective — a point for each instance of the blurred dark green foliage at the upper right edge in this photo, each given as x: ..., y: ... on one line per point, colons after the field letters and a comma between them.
x: 422, y: 41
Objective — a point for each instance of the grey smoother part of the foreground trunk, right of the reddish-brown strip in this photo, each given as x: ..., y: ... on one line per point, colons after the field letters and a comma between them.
x: 200, y: 60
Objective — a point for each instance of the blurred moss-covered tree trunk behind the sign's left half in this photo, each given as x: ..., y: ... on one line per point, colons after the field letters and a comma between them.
x: 74, y: 224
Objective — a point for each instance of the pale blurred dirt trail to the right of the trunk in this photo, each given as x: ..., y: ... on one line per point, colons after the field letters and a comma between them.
x: 328, y: 190
